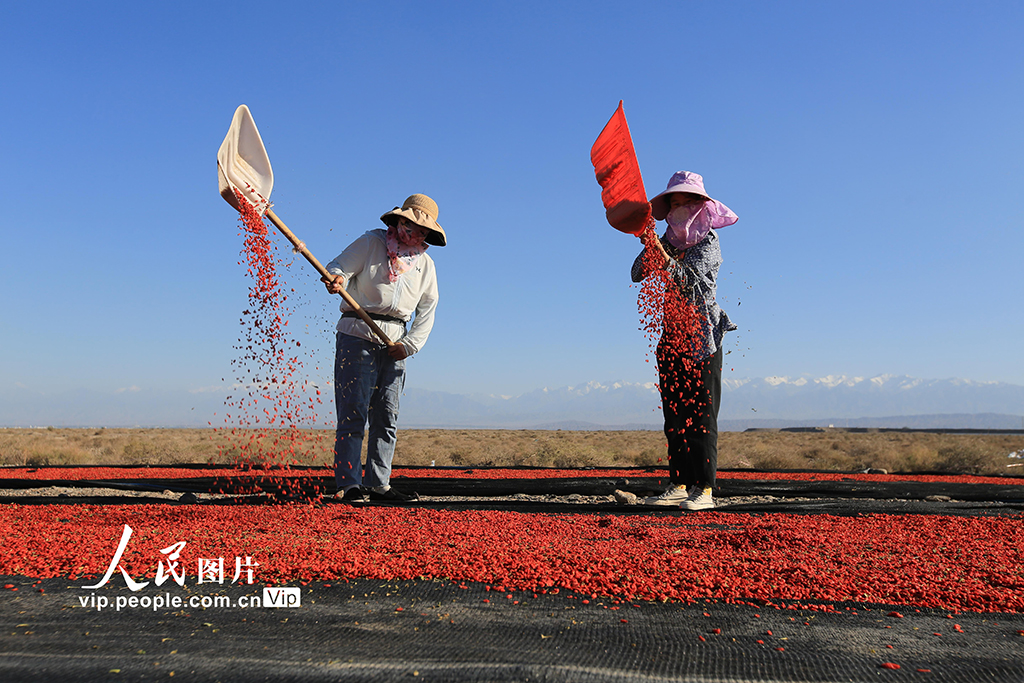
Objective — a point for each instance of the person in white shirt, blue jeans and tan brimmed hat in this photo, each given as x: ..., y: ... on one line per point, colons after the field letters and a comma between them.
x: 391, y: 276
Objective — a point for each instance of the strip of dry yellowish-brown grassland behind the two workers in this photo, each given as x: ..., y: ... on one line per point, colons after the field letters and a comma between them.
x: 827, y: 450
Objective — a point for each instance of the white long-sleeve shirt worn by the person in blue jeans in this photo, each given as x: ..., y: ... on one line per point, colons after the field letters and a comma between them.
x: 364, y: 265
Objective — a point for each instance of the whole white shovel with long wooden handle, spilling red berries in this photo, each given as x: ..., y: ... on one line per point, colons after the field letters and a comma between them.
x: 243, y: 165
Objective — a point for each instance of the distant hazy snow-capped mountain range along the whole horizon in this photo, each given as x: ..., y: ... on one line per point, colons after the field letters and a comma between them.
x: 774, y: 402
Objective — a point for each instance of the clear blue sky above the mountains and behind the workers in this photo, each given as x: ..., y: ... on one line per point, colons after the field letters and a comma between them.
x: 873, y: 152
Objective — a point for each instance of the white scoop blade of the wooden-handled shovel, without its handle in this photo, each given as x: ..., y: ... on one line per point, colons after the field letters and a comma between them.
x: 243, y: 164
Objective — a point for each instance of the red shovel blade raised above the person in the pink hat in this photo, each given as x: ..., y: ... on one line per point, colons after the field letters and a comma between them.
x: 619, y: 175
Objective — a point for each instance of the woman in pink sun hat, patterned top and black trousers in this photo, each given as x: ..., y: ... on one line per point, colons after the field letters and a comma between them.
x: 690, y: 353
